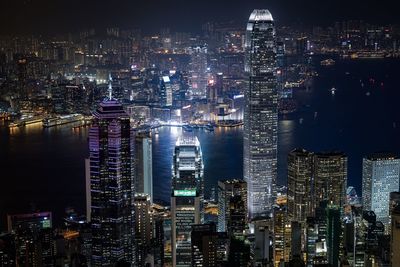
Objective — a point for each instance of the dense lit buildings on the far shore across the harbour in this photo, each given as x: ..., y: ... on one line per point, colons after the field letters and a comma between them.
x: 169, y: 75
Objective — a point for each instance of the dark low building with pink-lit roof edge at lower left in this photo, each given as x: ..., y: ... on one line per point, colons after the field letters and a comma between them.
x: 33, y: 238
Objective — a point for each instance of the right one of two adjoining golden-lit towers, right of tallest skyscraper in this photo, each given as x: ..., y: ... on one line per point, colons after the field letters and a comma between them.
x: 330, y: 178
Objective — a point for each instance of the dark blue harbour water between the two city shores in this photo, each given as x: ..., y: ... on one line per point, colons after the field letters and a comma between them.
x: 44, y: 168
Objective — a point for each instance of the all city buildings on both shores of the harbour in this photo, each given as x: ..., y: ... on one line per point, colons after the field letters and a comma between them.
x: 316, y: 219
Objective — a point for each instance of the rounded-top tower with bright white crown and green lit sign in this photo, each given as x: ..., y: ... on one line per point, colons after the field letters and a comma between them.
x: 187, y: 197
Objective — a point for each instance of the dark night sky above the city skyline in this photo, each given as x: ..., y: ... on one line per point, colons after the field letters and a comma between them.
x: 53, y: 16
